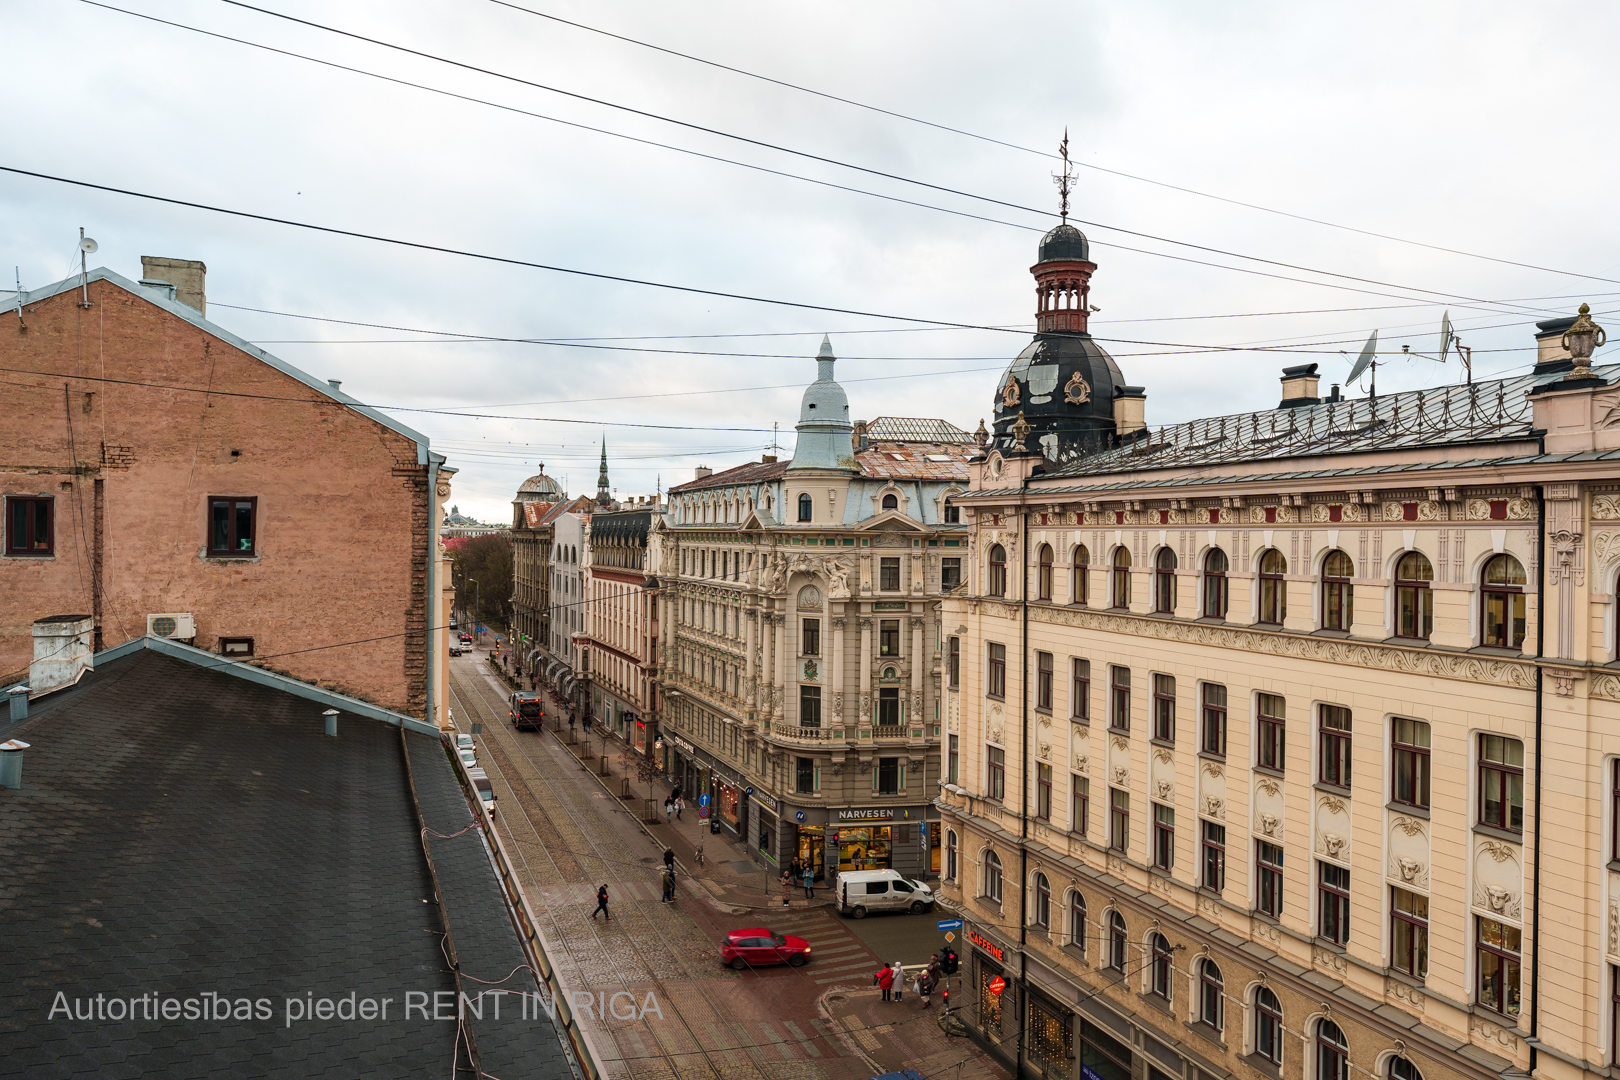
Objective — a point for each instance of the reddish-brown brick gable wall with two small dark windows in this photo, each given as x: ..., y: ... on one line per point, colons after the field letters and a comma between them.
x: 130, y: 415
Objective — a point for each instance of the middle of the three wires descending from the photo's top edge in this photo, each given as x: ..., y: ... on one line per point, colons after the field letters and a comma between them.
x: 829, y: 161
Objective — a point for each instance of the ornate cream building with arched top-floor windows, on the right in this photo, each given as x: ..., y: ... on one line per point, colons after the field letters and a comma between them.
x: 1285, y: 744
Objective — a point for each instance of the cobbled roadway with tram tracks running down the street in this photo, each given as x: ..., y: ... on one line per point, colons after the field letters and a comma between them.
x: 621, y: 958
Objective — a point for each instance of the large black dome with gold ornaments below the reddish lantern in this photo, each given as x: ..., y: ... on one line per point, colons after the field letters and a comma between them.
x: 1065, y: 386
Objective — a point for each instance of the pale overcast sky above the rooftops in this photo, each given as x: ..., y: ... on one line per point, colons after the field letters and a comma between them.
x: 1478, y: 127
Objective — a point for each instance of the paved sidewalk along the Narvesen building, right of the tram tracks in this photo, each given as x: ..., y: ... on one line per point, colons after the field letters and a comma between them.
x: 730, y: 874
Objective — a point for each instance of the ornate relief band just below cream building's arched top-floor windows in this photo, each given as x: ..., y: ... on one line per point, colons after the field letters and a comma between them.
x: 1386, y: 658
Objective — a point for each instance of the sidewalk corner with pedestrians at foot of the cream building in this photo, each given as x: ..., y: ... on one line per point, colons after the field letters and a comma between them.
x: 892, y: 1037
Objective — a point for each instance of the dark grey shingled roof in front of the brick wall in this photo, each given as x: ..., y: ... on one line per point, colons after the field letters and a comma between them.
x: 182, y: 831
